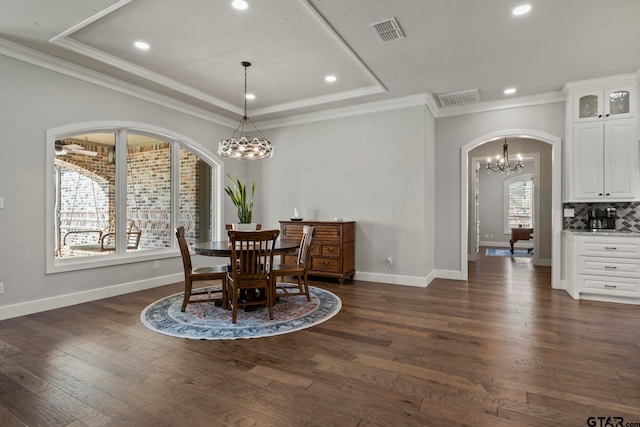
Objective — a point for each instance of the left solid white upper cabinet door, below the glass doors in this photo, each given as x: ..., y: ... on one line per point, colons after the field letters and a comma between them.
x: 587, y: 161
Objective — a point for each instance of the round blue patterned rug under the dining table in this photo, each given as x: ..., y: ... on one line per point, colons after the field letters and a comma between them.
x: 205, y: 321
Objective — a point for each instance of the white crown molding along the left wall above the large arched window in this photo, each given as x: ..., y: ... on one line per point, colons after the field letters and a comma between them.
x: 31, y: 56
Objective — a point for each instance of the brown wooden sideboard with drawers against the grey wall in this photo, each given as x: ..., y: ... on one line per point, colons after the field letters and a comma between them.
x: 332, y: 247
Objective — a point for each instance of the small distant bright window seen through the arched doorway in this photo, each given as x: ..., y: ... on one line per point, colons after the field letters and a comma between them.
x: 518, y: 202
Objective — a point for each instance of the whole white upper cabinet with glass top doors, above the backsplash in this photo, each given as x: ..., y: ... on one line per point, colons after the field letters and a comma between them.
x: 602, y: 156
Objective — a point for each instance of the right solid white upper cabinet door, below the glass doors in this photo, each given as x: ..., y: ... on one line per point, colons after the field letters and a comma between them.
x: 621, y: 160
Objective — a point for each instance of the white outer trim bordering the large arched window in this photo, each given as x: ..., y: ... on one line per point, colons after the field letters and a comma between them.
x: 177, y: 140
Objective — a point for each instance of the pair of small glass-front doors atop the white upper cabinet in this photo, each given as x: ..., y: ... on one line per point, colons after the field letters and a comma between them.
x: 602, y: 104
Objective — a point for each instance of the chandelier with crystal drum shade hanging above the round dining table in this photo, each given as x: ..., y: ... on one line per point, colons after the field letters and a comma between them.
x: 242, y: 146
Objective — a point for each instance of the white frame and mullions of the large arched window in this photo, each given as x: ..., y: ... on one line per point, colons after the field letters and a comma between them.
x: 121, y: 129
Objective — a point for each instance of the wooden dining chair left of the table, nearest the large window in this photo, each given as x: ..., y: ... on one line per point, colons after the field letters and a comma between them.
x: 191, y: 275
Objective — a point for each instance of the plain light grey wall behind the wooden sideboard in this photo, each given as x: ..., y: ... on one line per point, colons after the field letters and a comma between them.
x: 376, y: 169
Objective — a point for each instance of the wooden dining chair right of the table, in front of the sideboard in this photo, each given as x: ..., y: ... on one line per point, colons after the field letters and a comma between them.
x: 297, y: 270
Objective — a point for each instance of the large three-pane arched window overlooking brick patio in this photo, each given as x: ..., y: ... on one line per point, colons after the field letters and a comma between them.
x: 119, y: 192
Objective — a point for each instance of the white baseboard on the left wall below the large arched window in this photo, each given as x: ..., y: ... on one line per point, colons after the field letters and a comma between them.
x: 44, y: 304
